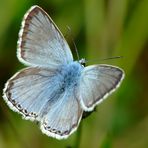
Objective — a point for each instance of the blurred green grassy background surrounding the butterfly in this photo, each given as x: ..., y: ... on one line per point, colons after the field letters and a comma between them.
x: 101, y: 29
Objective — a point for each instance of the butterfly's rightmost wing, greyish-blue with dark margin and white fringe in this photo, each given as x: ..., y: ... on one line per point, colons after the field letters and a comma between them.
x: 97, y: 82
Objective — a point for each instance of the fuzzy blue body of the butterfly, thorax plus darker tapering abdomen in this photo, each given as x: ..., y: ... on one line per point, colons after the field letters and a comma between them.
x: 66, y: 79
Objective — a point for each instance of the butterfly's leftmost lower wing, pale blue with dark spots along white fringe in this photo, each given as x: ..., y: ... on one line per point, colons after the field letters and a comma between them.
x: 28, y: 91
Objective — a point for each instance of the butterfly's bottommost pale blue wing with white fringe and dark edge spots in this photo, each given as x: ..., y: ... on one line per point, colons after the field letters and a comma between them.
x: 63, y: 118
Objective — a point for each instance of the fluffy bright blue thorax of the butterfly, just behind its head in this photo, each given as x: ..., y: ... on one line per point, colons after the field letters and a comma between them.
x: 70, y: 75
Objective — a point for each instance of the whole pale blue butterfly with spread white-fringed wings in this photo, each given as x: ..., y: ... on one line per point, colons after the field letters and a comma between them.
x: 55, y: 90
